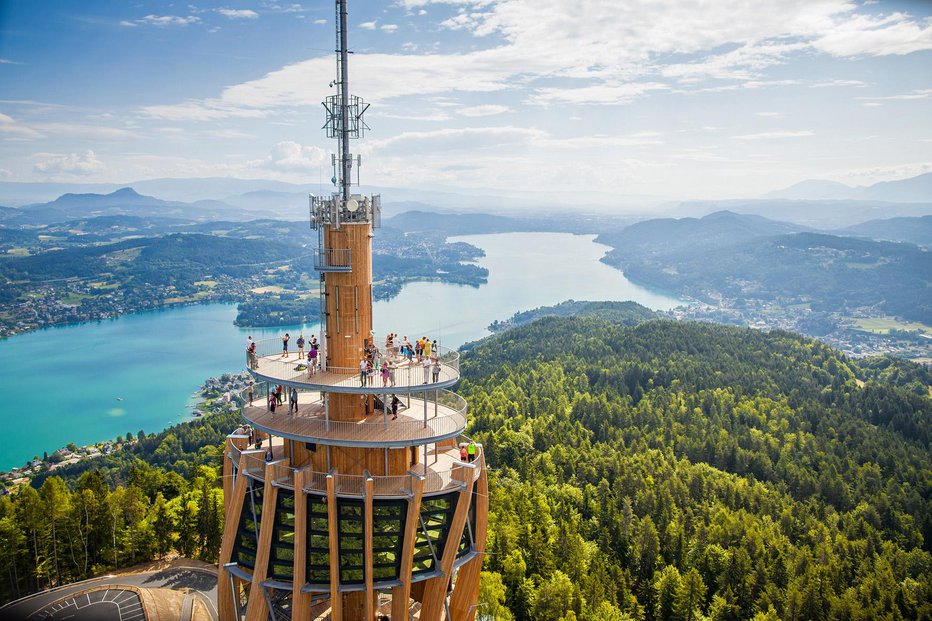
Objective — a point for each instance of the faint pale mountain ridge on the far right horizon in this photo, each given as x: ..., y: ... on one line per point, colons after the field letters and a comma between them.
x: 913, y: 190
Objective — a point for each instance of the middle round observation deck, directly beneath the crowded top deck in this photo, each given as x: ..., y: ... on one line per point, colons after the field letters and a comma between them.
x: 420, y: 421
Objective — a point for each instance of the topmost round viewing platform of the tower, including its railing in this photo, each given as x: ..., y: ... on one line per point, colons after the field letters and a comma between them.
x: 405, y: 375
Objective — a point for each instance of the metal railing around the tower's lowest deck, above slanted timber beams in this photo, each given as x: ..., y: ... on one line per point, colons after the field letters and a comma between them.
x: 353, y: 485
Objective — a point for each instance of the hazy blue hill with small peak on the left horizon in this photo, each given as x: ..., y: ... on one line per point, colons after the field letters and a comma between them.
x: 125, y: 201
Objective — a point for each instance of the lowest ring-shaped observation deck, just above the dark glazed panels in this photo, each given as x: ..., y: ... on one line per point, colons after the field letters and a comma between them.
x: 437, y: 467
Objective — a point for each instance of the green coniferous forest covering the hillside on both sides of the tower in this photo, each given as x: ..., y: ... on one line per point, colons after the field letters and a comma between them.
x: 662, y: 471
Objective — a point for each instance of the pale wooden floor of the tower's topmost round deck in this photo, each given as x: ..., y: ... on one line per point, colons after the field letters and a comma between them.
x: 409, y: 376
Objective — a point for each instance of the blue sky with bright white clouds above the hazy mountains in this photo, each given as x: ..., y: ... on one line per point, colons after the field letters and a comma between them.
x: 699, y: 99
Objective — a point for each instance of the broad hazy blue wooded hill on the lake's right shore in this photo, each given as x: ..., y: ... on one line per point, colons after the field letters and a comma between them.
x: 744, y: 257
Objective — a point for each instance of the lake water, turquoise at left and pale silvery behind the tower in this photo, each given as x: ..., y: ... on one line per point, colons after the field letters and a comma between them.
x: 91, y: 382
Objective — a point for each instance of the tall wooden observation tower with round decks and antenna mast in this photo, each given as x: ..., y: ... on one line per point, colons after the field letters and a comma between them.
x: 347, y: 512
